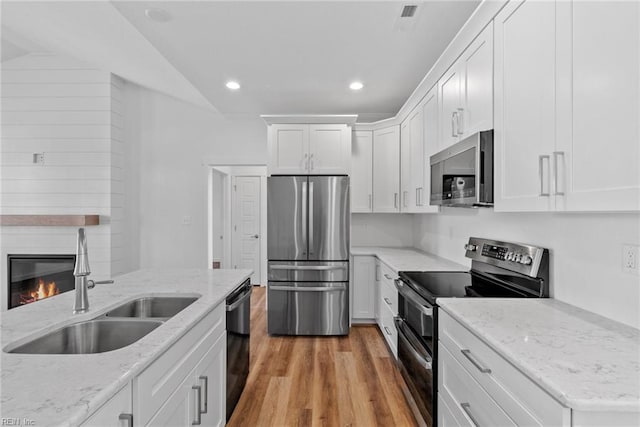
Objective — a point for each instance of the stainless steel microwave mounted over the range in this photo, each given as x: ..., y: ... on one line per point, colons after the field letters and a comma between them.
x: 462, y: 175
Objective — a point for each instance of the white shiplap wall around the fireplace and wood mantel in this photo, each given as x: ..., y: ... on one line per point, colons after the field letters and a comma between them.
x: 73, y: 114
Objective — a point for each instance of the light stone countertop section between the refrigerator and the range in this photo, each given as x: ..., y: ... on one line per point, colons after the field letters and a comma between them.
x: 408, y: 259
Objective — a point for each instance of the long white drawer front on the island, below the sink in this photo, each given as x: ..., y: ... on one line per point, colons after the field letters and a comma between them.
x: 160, y: 380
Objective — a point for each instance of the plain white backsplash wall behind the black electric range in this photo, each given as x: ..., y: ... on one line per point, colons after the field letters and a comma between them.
x: 586, y: 251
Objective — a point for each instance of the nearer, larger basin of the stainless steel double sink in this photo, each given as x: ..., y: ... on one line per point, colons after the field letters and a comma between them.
x: 93, y: 336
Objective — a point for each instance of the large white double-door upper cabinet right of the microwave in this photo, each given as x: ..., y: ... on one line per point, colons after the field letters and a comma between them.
x: 567, y: 126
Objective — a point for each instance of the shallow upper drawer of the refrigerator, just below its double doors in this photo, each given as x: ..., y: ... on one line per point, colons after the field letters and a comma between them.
x: 309, y: 271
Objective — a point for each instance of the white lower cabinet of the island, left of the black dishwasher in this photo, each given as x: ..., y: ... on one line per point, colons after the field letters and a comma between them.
x: 186, y: 385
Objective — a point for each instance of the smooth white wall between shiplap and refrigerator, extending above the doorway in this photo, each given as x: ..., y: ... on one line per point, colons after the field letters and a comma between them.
x: 176, y: 142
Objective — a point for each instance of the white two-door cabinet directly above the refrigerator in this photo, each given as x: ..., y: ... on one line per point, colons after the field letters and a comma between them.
x: 303, y: 149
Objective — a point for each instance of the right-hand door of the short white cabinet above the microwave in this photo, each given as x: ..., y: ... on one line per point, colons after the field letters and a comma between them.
x: 477, y: 85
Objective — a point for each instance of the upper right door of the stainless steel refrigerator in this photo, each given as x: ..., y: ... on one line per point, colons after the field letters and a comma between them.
x: 328, y: 218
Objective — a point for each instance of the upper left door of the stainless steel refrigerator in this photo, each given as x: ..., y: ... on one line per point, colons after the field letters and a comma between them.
x: 287, y: 217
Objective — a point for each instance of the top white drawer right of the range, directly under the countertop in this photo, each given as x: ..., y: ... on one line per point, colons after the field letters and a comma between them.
x: 524, y: 401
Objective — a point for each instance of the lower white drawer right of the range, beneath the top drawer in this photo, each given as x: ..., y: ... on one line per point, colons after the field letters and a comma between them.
x: 459, y: 390
